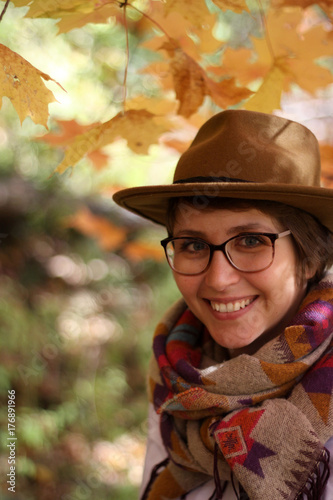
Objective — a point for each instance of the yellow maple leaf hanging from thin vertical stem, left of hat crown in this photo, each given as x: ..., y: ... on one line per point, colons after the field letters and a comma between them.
x: 139, y: 127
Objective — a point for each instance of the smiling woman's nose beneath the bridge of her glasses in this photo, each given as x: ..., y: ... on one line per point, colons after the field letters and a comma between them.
x: 221, y: 273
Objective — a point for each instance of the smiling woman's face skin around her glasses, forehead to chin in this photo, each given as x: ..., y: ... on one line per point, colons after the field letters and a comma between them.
x: 268, y: 298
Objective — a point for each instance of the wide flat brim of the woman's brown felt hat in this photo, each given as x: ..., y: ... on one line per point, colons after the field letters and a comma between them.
x: 151, y: 202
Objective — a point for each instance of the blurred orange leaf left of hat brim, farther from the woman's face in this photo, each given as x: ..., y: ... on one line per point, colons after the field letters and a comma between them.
x: 108, y: 235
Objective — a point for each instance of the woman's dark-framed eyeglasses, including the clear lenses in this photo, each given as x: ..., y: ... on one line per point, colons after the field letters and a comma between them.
x: 249, y: 252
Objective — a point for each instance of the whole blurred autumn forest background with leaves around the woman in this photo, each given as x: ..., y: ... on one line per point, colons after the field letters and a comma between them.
x: 82, y: 283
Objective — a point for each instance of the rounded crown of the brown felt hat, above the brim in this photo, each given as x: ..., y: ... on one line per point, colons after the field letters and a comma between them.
x: 238, y: 145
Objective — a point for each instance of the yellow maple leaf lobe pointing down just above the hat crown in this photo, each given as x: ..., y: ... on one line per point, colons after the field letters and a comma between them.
x: 268, y: 97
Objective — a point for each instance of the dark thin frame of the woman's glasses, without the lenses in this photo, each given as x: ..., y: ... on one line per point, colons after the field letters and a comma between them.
x: 213, y: 248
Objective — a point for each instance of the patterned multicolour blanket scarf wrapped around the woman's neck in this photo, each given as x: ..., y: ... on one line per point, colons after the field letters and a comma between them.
x: 262, y: 419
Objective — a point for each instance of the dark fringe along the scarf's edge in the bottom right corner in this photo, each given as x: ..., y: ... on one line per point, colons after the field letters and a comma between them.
x: 316, y: 483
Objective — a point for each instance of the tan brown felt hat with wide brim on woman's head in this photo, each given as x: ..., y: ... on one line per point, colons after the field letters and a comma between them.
x: 247, y: 155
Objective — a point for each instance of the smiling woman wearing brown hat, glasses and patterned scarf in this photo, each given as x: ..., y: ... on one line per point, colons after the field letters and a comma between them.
x: 242, y: 373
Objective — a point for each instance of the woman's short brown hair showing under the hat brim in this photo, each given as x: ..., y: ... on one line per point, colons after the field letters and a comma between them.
x: 313, y: 242
